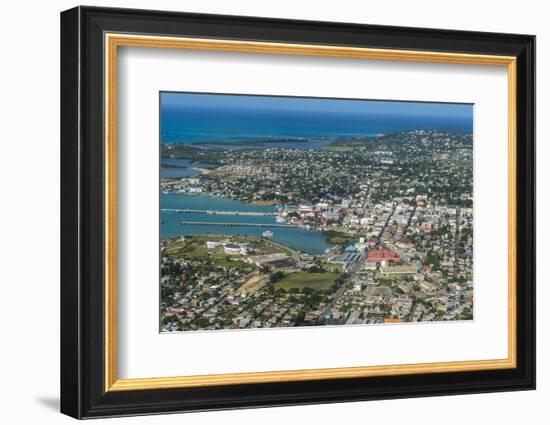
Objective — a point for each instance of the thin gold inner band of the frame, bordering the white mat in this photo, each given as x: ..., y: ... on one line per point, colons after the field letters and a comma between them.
x: 114, y: 41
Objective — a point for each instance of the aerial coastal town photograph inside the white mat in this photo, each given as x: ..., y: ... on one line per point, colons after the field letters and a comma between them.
x: 280, y: 211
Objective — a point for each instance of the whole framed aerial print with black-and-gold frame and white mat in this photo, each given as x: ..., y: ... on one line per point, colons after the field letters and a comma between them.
x: 261, y: 212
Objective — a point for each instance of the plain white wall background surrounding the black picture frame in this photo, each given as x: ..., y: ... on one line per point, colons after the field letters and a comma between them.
x: 29, y: 213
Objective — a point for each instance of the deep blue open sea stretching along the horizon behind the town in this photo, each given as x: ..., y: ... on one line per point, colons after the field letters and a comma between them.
x: 183, y: 124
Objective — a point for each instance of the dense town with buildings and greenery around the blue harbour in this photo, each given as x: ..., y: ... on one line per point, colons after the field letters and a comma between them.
x: 395, y: 210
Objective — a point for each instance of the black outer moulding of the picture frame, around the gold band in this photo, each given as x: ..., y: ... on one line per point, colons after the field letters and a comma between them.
x: 82, y: 212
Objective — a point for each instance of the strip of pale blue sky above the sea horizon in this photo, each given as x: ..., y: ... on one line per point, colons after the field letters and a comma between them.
x: 315, y: 104
